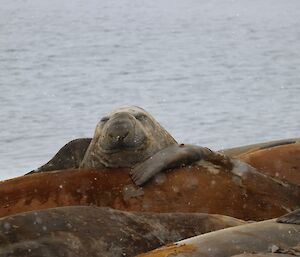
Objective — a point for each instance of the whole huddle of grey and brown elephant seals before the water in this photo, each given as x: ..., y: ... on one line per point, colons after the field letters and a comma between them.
x: 129, y: 145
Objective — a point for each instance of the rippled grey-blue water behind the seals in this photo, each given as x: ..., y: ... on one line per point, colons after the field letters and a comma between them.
x: 218, y: 73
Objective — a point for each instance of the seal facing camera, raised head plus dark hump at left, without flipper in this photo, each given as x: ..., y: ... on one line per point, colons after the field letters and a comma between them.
x: 122, y: 138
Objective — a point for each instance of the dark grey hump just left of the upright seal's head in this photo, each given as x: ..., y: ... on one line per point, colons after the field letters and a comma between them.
x: 69, y: 156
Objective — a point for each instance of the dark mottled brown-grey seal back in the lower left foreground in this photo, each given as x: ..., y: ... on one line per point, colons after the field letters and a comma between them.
x: 87, y: 231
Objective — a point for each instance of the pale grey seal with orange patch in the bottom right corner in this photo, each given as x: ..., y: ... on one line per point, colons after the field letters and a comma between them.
x: 258, y: 237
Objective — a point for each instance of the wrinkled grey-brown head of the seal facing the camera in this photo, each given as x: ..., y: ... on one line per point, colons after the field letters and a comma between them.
x: 125, y: 137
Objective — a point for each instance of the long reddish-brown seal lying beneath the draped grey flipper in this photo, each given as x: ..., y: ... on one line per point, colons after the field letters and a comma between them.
x: 224, y: 186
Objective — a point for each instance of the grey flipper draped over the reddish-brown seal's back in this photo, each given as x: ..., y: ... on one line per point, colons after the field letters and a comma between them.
x: 171, y: 157
